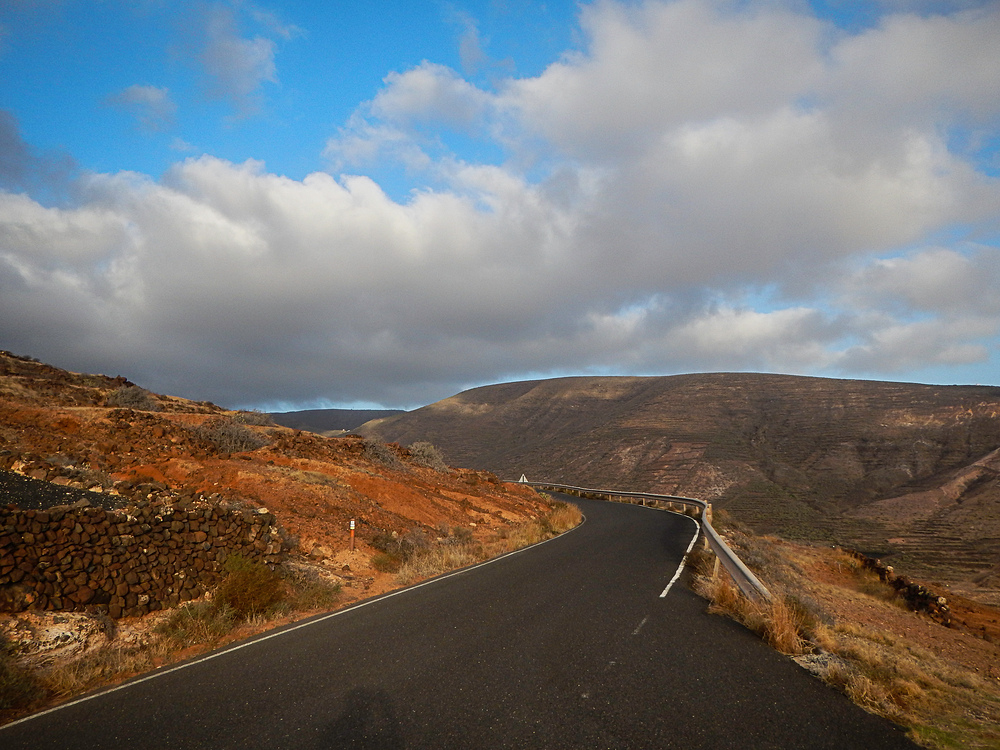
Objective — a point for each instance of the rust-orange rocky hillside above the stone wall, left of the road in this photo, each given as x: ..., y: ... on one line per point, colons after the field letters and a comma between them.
x: 65, y: 428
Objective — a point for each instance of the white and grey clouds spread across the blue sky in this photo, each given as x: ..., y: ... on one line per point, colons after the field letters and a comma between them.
x: 702, y: 186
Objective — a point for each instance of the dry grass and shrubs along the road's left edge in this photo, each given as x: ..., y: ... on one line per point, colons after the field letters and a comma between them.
x: 251, y: 599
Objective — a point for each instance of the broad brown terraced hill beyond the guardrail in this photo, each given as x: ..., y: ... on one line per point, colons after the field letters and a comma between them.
x: 904, y: 470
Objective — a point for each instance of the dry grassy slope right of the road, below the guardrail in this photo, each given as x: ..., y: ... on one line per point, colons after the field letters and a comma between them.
x: 881, y: 667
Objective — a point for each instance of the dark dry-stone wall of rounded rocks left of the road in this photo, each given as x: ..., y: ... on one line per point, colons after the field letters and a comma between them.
x: 124, y: 563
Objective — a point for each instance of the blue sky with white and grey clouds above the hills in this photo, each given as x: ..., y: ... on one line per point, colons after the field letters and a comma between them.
x: 303, y: 204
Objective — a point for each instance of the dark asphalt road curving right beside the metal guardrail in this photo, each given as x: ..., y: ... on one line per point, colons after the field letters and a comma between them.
x: 565, y: 645
